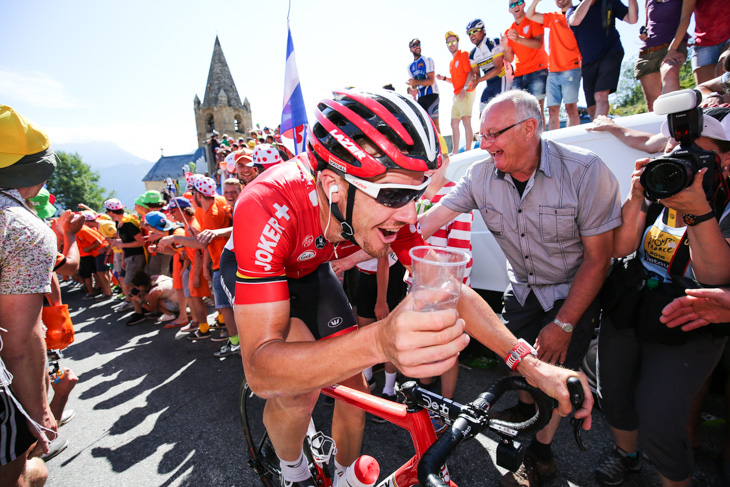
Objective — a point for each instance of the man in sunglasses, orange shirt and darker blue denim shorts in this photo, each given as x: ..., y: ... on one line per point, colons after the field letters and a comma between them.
x: 523, y: 44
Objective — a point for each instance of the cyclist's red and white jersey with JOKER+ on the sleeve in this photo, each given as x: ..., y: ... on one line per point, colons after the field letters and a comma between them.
x: 277, y: 233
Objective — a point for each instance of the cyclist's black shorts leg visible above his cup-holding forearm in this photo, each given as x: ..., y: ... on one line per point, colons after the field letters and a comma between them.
x: 320, y: 302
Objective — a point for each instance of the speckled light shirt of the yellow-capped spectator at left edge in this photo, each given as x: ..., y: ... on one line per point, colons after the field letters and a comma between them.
x: 27, y: 248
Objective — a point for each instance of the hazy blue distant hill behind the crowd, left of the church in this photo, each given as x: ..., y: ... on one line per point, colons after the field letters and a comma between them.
x: 118, y: 169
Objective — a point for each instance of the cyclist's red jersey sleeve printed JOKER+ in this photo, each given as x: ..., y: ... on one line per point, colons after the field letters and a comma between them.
x: 261, y: 240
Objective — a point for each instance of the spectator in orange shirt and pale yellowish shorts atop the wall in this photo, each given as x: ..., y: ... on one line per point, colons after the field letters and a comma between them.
x: 461, y: 76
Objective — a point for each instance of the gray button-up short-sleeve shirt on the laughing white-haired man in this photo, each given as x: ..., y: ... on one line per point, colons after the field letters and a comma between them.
x: 573, y: 194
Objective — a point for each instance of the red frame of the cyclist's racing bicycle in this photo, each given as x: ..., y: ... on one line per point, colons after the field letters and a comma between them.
x: 418, y: 424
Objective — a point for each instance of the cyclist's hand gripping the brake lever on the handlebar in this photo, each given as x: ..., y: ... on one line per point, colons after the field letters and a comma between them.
x: 553, y: 381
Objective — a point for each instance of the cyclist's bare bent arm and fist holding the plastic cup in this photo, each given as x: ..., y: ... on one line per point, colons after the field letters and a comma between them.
x: 280, y: 358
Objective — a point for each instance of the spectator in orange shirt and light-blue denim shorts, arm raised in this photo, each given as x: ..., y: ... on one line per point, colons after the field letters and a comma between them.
x: 564, y: 63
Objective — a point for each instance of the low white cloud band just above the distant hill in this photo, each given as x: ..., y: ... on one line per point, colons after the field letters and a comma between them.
x: 141, y: 139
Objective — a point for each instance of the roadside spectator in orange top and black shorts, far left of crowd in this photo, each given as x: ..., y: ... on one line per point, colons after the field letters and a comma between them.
x: 92, y: 249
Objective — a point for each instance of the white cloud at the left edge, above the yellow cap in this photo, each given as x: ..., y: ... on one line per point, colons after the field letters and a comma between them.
x: 35, y: 88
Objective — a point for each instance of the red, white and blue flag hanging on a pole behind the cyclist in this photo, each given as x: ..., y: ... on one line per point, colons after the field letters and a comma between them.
x: 293, y: 116
